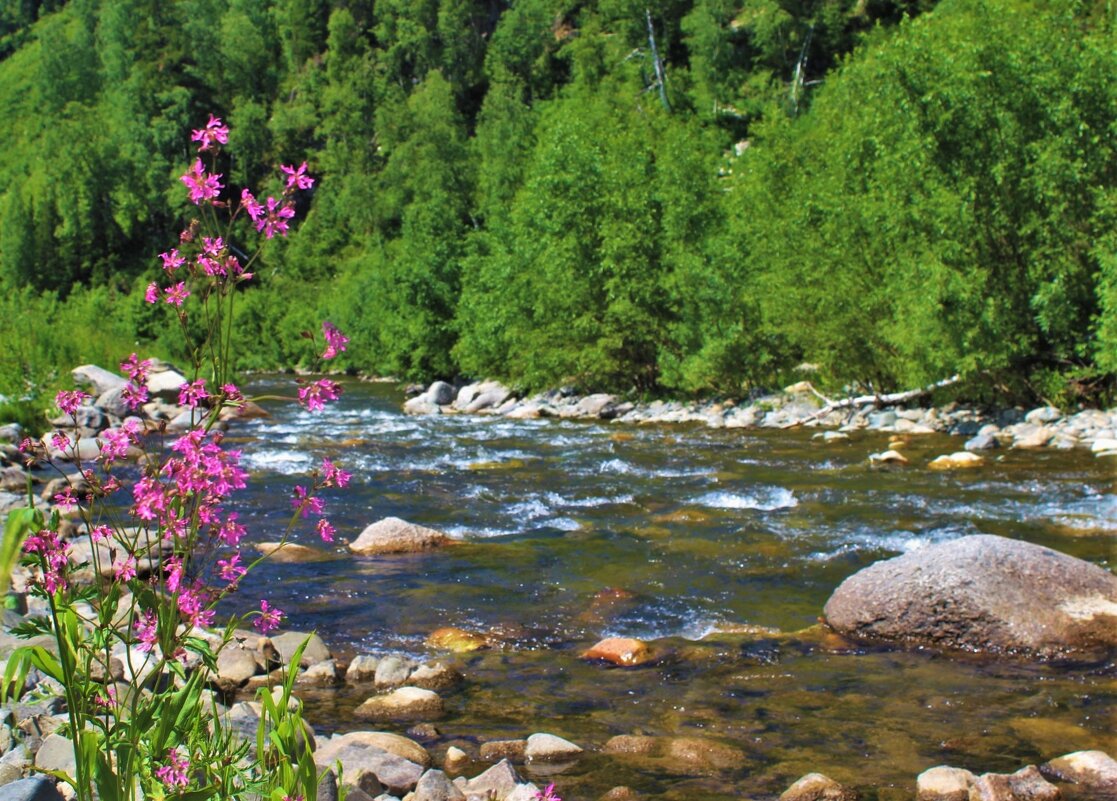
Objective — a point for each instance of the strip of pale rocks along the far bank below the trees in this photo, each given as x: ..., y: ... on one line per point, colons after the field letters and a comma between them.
x: 798, y: 406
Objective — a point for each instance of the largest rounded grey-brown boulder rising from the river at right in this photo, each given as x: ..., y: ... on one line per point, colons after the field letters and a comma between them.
x: 984, y: 594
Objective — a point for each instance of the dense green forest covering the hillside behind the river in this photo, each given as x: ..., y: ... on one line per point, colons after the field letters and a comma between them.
x: 684, y: 197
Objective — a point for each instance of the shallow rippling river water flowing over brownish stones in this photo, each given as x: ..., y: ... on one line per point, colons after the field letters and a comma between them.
x: 676, y: 535
